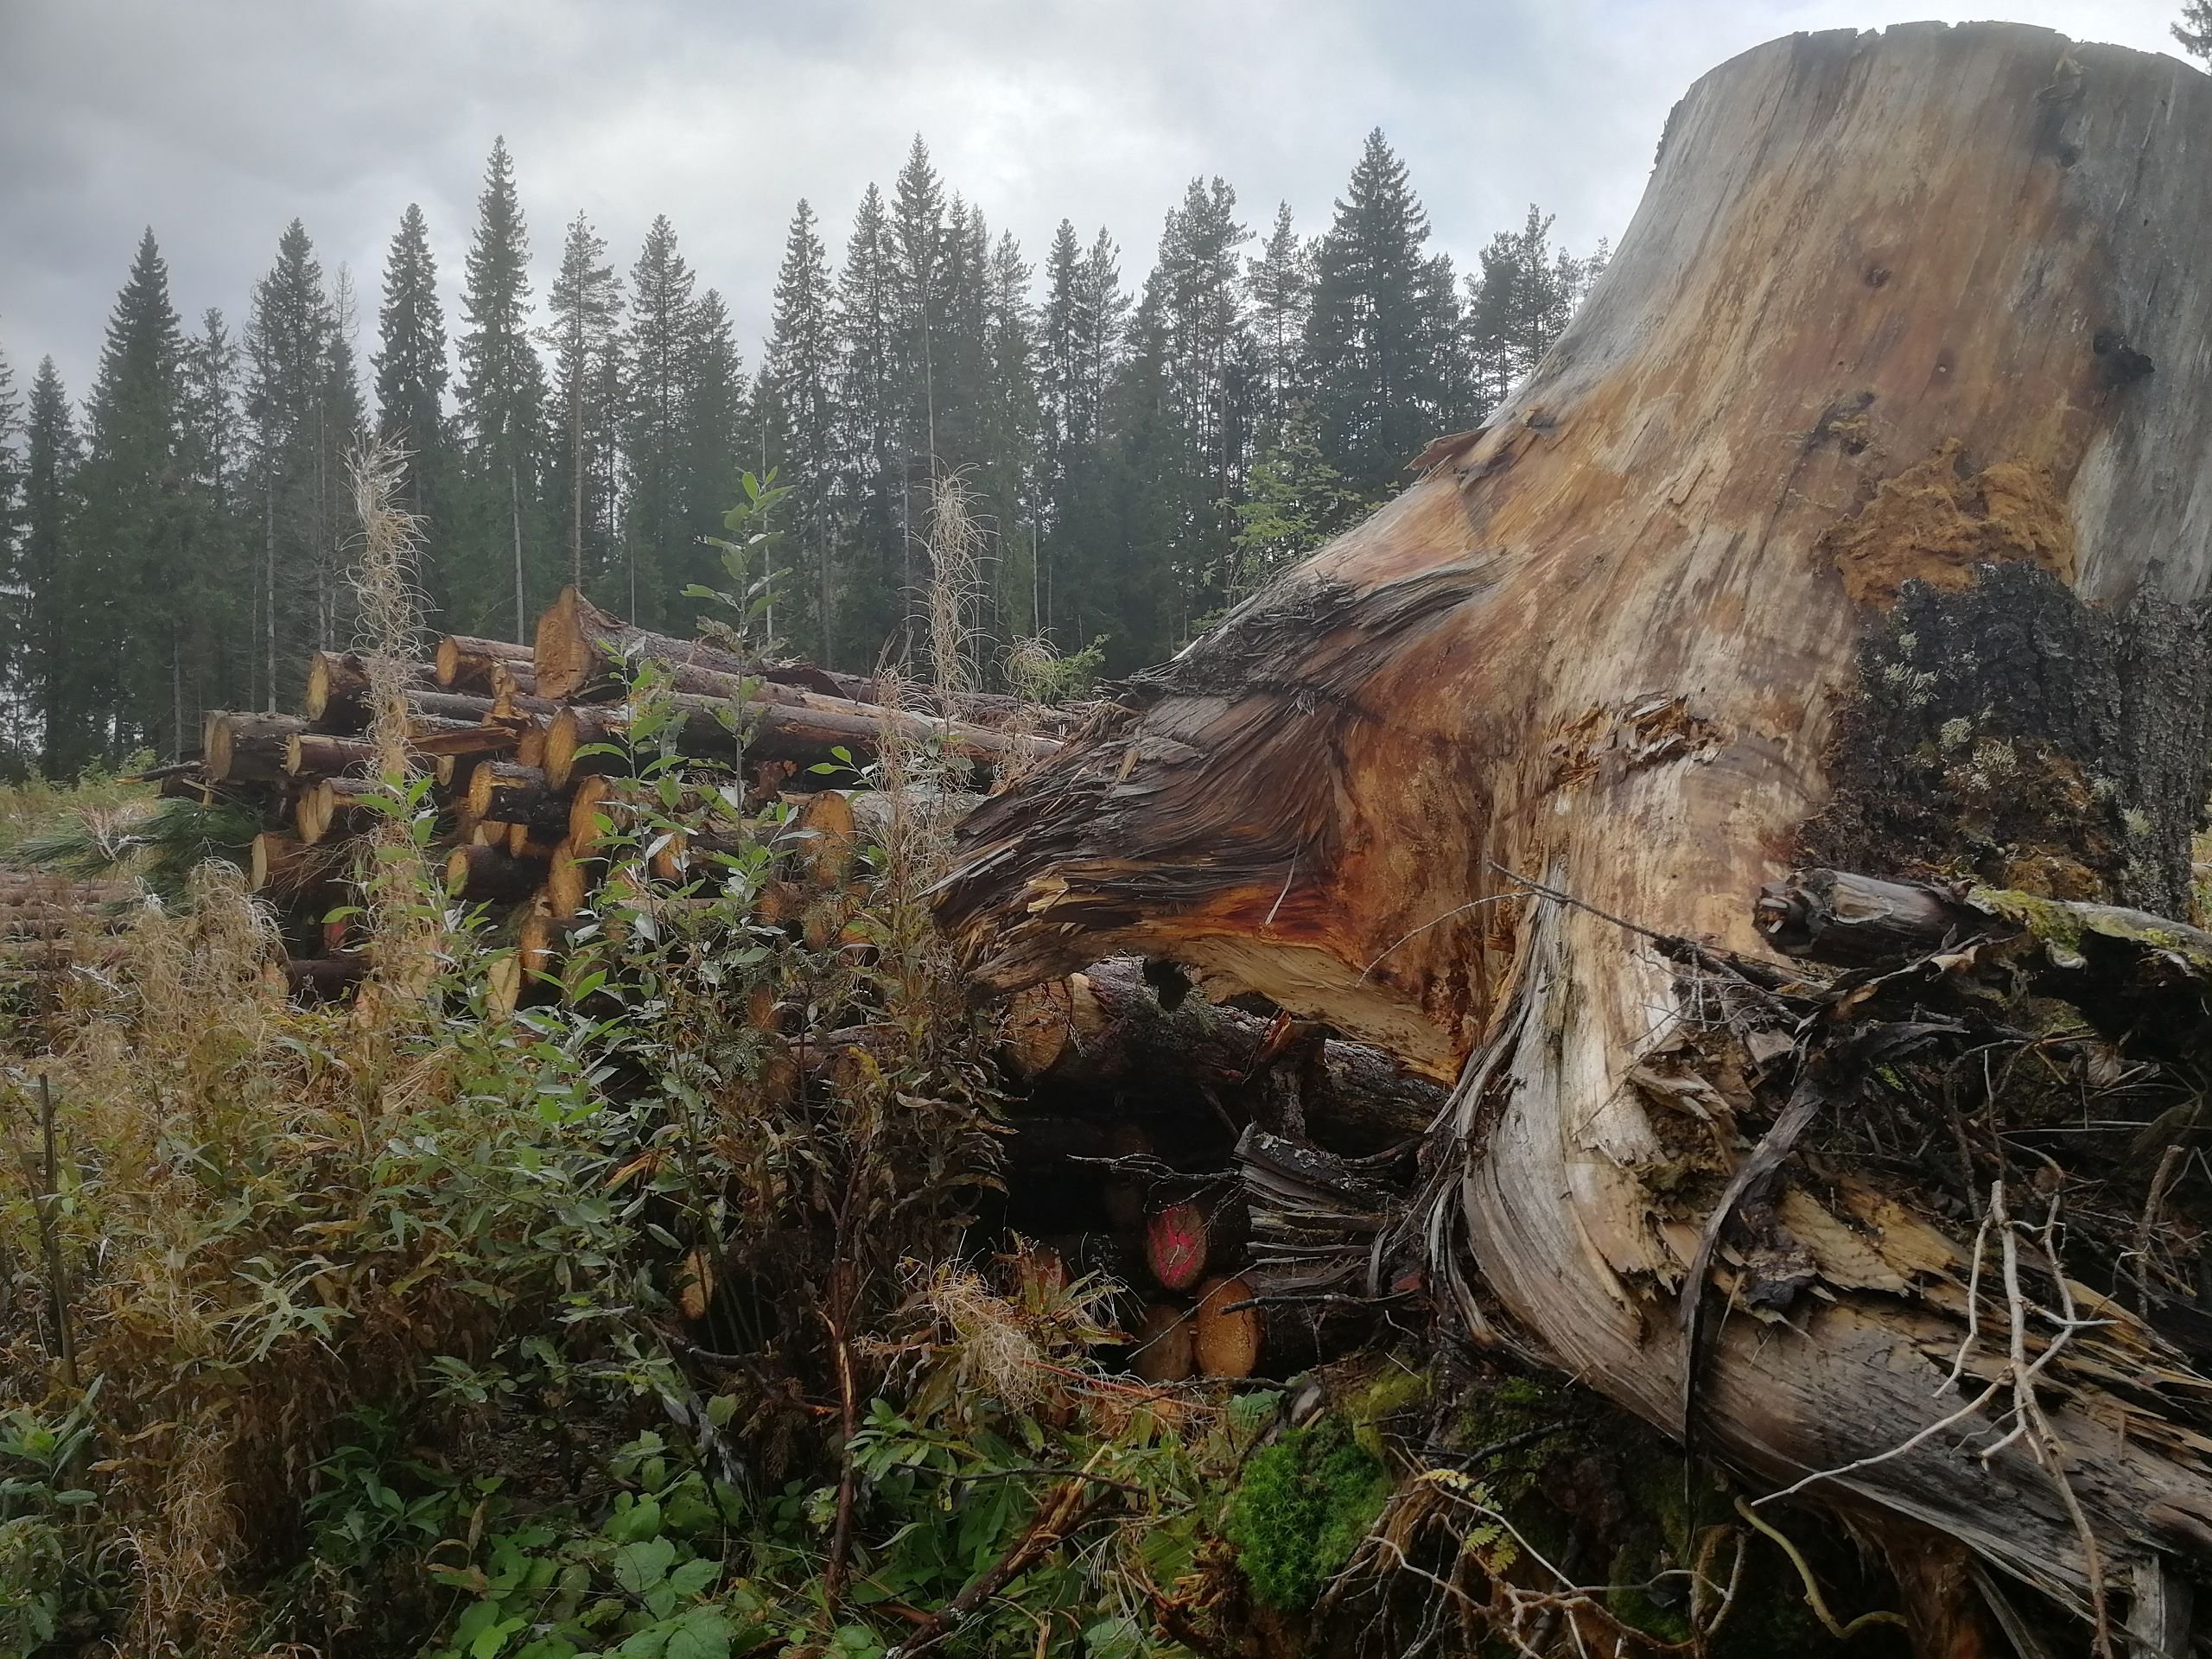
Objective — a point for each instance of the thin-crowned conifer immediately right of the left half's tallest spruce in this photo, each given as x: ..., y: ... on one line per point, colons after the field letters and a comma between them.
x: 587, y: 309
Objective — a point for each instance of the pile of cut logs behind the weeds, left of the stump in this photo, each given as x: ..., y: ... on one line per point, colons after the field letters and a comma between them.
x: 525, y: 747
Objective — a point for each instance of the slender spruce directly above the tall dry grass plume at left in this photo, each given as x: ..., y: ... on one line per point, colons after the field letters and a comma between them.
x: 410, y: 395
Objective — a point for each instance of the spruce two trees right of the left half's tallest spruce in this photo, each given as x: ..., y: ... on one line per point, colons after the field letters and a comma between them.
x: 658, y: 359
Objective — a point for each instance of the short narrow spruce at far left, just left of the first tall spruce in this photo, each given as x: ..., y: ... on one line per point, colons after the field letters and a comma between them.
x: 52, y: 598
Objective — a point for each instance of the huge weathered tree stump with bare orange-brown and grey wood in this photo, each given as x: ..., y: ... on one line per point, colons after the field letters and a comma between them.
x: 1864, y: 510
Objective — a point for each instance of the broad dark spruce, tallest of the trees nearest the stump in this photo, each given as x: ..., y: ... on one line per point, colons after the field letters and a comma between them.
x: 1381, y: 344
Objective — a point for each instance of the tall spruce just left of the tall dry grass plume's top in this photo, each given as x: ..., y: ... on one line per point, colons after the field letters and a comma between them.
x: 289, y: 344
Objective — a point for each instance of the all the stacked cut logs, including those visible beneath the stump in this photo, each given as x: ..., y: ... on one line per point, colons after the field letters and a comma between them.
x: 1127, y: 1158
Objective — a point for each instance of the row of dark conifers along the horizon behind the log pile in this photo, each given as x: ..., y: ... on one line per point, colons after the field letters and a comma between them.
x: 1142, y: 455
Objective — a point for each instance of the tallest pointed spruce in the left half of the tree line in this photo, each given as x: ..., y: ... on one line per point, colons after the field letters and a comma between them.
x: 501, y: 404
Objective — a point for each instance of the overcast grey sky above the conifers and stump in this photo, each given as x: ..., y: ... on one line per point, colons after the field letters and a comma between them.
x: 220, y: 121
